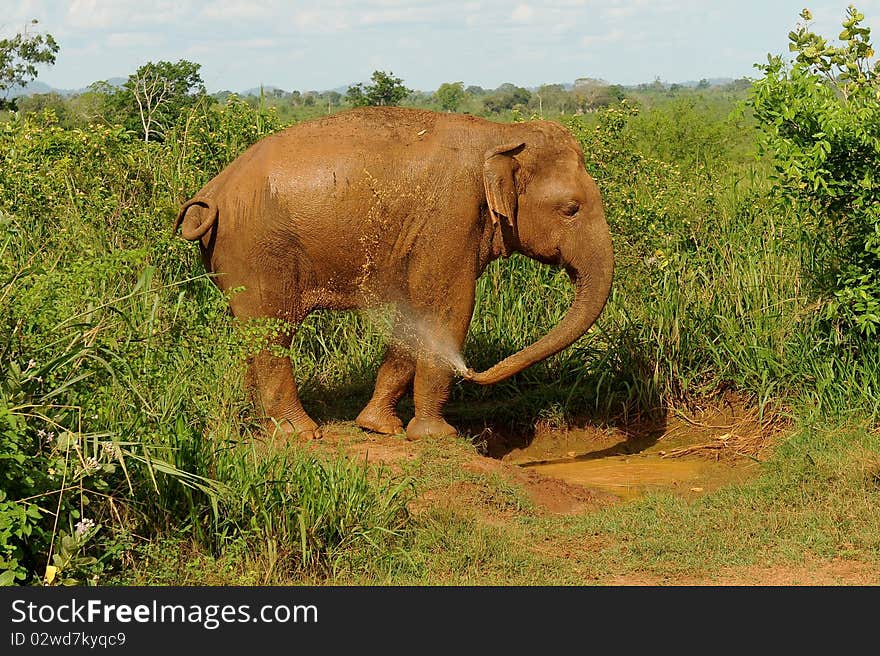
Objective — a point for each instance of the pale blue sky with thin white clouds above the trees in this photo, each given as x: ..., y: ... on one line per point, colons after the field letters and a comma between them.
x: 322, y: 45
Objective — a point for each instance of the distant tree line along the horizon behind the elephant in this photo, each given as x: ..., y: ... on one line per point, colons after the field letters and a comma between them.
x: 150, y: 97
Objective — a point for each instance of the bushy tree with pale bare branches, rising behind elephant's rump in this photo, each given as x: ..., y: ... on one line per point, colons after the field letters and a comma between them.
x: 157, y: 93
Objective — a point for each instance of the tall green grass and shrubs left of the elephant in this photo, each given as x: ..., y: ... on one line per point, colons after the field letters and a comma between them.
x: 122, y: 410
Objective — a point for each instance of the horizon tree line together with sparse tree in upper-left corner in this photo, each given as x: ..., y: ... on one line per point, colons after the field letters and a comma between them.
x: 157, y: 94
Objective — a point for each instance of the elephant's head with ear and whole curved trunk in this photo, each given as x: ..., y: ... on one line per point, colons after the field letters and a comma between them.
x: 547, y: 207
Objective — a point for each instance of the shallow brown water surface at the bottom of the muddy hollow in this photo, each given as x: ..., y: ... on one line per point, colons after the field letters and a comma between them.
x: 632, y: 476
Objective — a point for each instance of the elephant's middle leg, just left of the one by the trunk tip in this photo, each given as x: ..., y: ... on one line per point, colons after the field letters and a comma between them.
x: 392, y: 382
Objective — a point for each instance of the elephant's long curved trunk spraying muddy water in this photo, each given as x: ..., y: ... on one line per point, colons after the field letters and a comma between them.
x: 591, y: 269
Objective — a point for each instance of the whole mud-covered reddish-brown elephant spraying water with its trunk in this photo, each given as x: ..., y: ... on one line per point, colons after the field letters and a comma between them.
x: 402, y: 207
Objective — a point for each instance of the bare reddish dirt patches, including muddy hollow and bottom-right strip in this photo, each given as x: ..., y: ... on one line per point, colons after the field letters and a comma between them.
x: 572, y: 471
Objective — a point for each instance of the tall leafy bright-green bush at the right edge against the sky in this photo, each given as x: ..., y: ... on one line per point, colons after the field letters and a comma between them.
x: 819, y: 117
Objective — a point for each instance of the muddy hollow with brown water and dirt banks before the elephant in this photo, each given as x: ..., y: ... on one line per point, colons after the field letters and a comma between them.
x: 685, y: 455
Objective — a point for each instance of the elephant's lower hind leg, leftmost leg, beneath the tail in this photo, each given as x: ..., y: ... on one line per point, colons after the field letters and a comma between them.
x: 277, y: 399
